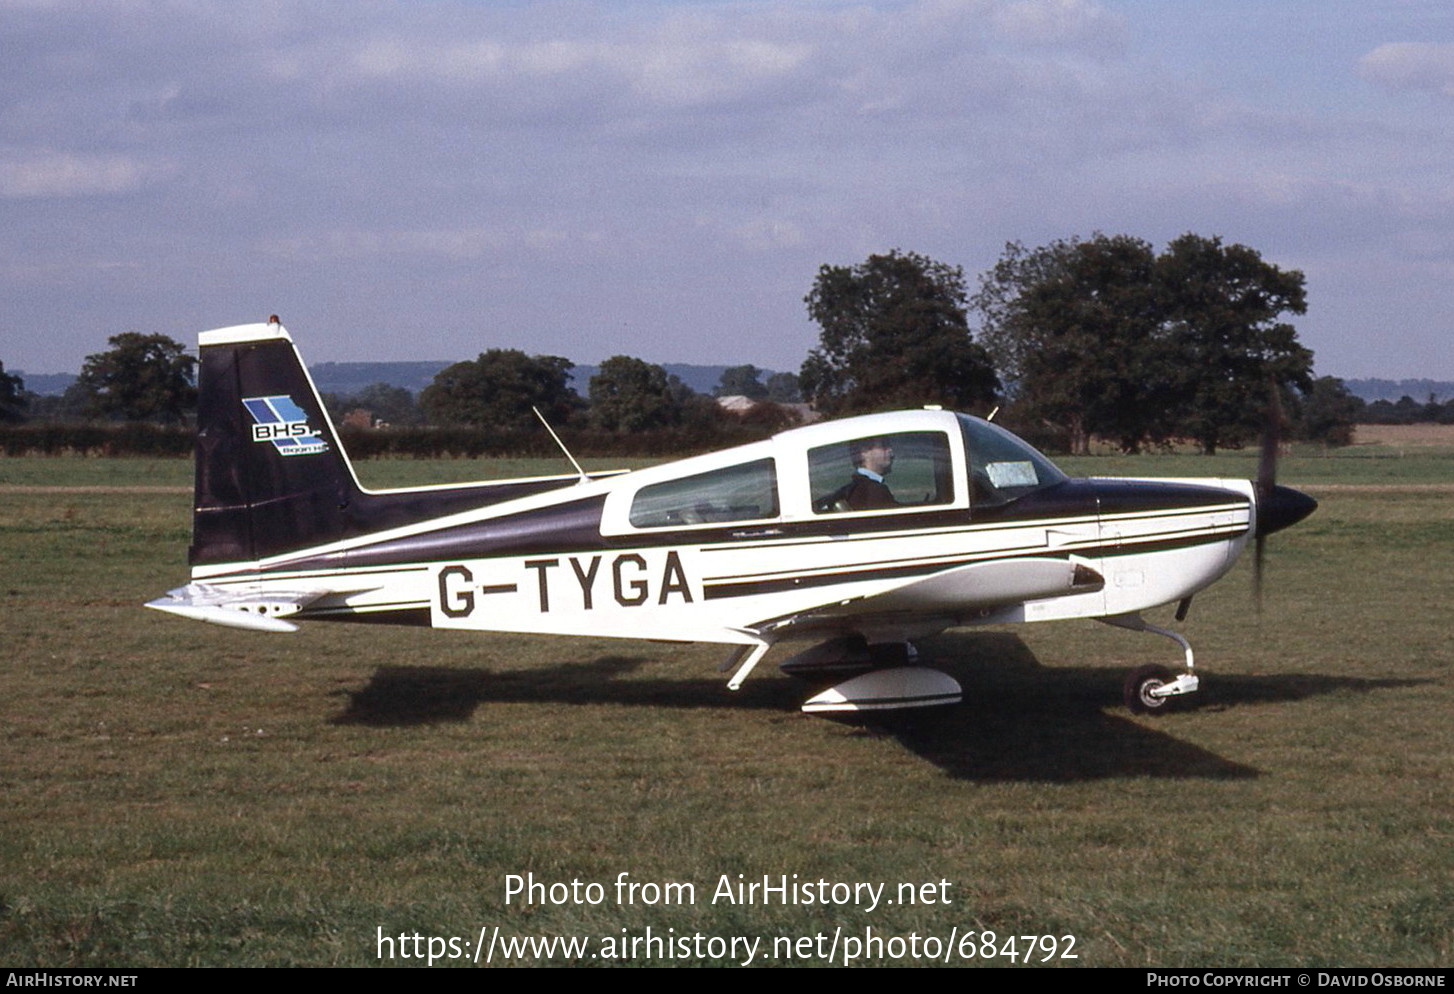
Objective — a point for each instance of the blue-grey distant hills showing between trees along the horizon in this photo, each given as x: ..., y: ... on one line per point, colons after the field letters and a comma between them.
x: 353, y: 377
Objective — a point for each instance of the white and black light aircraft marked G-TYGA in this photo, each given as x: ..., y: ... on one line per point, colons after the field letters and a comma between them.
x: 748, y: 547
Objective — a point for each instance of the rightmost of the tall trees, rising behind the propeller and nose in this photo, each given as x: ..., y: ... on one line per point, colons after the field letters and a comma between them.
x: 1222, y: 309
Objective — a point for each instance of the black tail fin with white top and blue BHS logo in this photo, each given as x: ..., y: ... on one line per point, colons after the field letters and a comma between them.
x: 271, y: 476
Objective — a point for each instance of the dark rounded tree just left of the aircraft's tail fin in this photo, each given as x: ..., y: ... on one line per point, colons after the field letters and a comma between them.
x: 140, y: 379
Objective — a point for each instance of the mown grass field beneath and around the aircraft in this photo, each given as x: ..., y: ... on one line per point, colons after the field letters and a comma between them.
x: 178, y: 794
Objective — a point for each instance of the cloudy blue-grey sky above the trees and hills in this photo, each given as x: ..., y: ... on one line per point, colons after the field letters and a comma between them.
x: 427, y: 181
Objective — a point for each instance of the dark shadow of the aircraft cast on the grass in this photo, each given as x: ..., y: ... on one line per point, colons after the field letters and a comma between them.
x: 1019, y: 722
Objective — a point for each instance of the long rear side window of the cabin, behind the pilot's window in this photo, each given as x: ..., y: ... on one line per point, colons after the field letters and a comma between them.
x: 745, y: 493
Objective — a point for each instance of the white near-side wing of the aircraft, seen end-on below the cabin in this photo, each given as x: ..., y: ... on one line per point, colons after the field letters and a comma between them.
x: 955, y: 594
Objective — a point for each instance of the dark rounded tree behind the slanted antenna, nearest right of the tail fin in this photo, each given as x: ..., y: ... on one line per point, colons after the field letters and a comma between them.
x: 499, y: 389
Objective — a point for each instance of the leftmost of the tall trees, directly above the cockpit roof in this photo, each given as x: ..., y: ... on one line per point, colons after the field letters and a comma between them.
x: 893, y: 335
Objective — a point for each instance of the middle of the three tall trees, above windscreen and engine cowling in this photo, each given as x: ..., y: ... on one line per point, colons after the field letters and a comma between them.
x: 1075, y: 328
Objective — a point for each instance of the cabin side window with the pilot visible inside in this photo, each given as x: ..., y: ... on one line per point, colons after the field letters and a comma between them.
x: 876, y: 473
